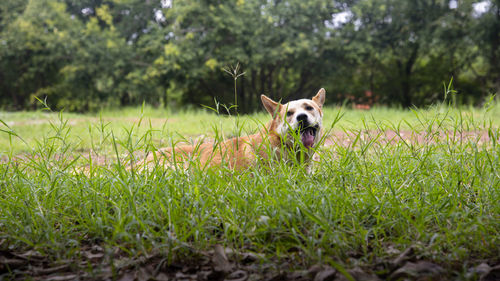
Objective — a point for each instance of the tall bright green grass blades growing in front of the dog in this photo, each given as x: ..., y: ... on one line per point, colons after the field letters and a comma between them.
x: 364, y: 198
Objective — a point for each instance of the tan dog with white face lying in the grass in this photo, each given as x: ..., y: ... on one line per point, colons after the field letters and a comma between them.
x: 300, y: 117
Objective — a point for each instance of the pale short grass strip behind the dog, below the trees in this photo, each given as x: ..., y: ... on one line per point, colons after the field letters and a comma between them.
x: 165, y: 126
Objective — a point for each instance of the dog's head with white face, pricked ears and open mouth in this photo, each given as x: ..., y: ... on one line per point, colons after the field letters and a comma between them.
x: 302, y: 117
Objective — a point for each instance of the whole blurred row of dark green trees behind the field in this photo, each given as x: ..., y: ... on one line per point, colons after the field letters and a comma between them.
x: 85, y: 55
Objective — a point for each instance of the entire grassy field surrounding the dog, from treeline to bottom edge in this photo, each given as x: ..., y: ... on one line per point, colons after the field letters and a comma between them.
x: 422, y: 202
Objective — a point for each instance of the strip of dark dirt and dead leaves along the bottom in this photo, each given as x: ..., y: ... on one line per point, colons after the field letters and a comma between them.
x: 224, y: 264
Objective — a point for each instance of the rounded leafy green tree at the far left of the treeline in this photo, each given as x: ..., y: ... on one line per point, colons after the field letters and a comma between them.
x: 35, y: 45
